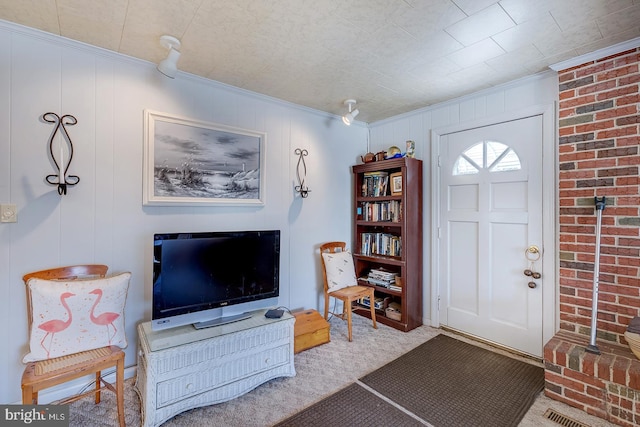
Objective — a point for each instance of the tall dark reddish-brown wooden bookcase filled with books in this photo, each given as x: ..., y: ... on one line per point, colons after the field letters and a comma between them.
x: 388, y: 237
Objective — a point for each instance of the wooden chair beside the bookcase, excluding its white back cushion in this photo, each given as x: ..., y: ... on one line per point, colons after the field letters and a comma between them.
x: 347, y: 294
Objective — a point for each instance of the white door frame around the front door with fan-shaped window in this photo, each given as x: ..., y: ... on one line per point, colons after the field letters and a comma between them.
x: 549, y: 215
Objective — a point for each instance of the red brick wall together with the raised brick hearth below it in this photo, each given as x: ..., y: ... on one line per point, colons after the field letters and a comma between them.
x: 599, y: 139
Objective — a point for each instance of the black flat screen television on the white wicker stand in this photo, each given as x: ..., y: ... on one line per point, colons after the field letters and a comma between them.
x: 211, y: 278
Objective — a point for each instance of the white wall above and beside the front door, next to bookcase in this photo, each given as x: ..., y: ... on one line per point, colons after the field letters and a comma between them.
x: 485, y: 106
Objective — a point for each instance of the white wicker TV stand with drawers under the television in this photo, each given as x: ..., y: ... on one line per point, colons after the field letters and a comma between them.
x: 185, y: 368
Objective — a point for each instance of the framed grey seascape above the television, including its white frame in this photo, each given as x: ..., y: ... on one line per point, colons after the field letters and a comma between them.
x: 194, y: 163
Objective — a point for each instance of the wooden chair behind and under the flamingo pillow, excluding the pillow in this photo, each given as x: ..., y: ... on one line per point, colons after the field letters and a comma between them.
x: 48, y: 373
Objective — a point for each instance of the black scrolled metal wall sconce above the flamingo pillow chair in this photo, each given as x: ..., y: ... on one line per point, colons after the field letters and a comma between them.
x: 61, y: 179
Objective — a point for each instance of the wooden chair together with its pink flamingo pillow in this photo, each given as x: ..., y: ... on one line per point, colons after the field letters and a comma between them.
x: 76, y: 288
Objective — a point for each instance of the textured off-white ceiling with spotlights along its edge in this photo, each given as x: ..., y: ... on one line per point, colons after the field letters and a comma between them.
x: 392, y: 56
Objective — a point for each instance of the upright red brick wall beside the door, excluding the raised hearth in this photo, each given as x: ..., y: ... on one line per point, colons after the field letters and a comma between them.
x: 599, y: 122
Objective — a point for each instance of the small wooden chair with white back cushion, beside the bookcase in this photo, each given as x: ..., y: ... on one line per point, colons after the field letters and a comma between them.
x: 340, y: 282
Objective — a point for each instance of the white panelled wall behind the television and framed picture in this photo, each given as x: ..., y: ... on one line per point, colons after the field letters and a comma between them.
x: 102, y: 219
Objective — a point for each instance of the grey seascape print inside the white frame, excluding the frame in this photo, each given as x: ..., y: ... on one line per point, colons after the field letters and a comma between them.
x: 205, y: 164
